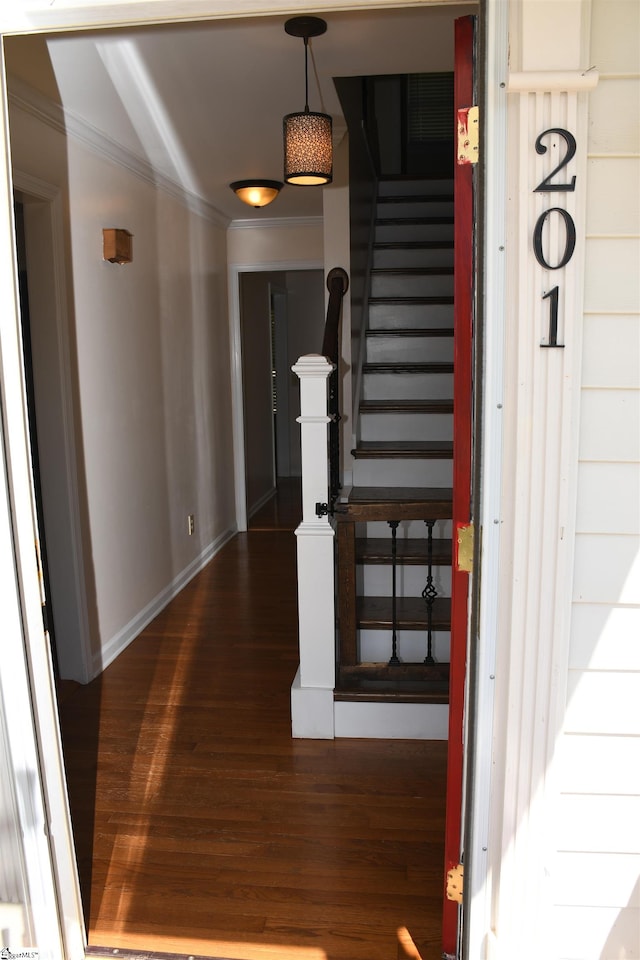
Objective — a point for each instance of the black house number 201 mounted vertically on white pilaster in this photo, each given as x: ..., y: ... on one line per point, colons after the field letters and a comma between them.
x: 551, y: 185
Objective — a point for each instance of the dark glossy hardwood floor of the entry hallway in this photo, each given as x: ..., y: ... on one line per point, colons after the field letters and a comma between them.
x: 202, y: 828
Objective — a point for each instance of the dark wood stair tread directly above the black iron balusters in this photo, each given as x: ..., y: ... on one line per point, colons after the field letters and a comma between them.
x: 397, y: 503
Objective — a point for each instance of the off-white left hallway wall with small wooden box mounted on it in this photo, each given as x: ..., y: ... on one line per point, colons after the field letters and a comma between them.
x: 151, y: 381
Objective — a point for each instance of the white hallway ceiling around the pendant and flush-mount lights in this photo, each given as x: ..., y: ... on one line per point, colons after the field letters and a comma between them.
x: 204, y: 102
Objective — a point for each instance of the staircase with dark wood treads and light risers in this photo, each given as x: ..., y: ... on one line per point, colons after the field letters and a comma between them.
x: 394, y: 525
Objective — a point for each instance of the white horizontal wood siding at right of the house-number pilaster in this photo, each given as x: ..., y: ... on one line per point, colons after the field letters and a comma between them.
x: 596, y: 877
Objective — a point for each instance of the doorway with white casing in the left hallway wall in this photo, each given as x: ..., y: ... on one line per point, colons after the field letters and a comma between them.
x: 55, y: 440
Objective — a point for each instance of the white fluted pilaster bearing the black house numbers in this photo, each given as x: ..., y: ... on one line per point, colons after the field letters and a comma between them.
x: 547, y: 88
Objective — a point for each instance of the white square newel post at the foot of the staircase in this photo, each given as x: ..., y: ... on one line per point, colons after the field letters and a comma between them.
x: 312, y: 689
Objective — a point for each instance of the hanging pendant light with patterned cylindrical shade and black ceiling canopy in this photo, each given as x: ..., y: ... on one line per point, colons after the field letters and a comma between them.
x: 308, y: 148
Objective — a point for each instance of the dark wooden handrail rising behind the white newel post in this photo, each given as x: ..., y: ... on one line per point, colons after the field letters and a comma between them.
x: 337, y: 284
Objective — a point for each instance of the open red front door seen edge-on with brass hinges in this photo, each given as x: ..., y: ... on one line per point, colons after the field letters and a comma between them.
x: 464, y: 287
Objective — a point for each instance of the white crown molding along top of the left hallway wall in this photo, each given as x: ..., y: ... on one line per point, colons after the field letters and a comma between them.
x: 30, y: 101
